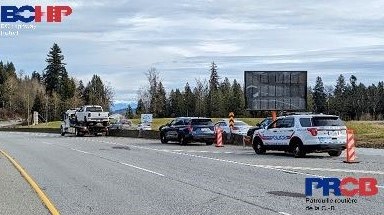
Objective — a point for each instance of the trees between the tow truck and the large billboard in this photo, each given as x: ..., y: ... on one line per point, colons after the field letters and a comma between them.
x: 212, y: 98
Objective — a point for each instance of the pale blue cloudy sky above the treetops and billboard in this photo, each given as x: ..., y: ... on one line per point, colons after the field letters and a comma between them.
x: 120, y: 40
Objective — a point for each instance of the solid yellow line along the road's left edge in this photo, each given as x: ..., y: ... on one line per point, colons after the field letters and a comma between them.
x: 52, y: 209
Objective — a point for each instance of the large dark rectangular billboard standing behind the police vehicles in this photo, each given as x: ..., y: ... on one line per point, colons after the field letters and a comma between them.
x: 276, y: 90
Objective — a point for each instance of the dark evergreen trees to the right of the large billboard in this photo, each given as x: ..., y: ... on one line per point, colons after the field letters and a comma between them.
x: 348, y: 99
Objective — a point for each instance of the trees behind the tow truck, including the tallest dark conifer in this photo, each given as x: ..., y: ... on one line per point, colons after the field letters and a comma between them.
x: 50, y: 93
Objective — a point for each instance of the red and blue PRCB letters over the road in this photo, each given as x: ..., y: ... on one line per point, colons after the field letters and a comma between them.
x: 361, y: 186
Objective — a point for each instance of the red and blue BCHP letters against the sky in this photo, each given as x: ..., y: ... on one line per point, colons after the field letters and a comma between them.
x: 53, y: 13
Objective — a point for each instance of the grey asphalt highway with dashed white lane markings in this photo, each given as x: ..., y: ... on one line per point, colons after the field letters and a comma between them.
x: 108, y: 175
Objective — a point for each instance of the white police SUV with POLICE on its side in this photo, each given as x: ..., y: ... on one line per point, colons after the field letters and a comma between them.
x: 302, y: 134
